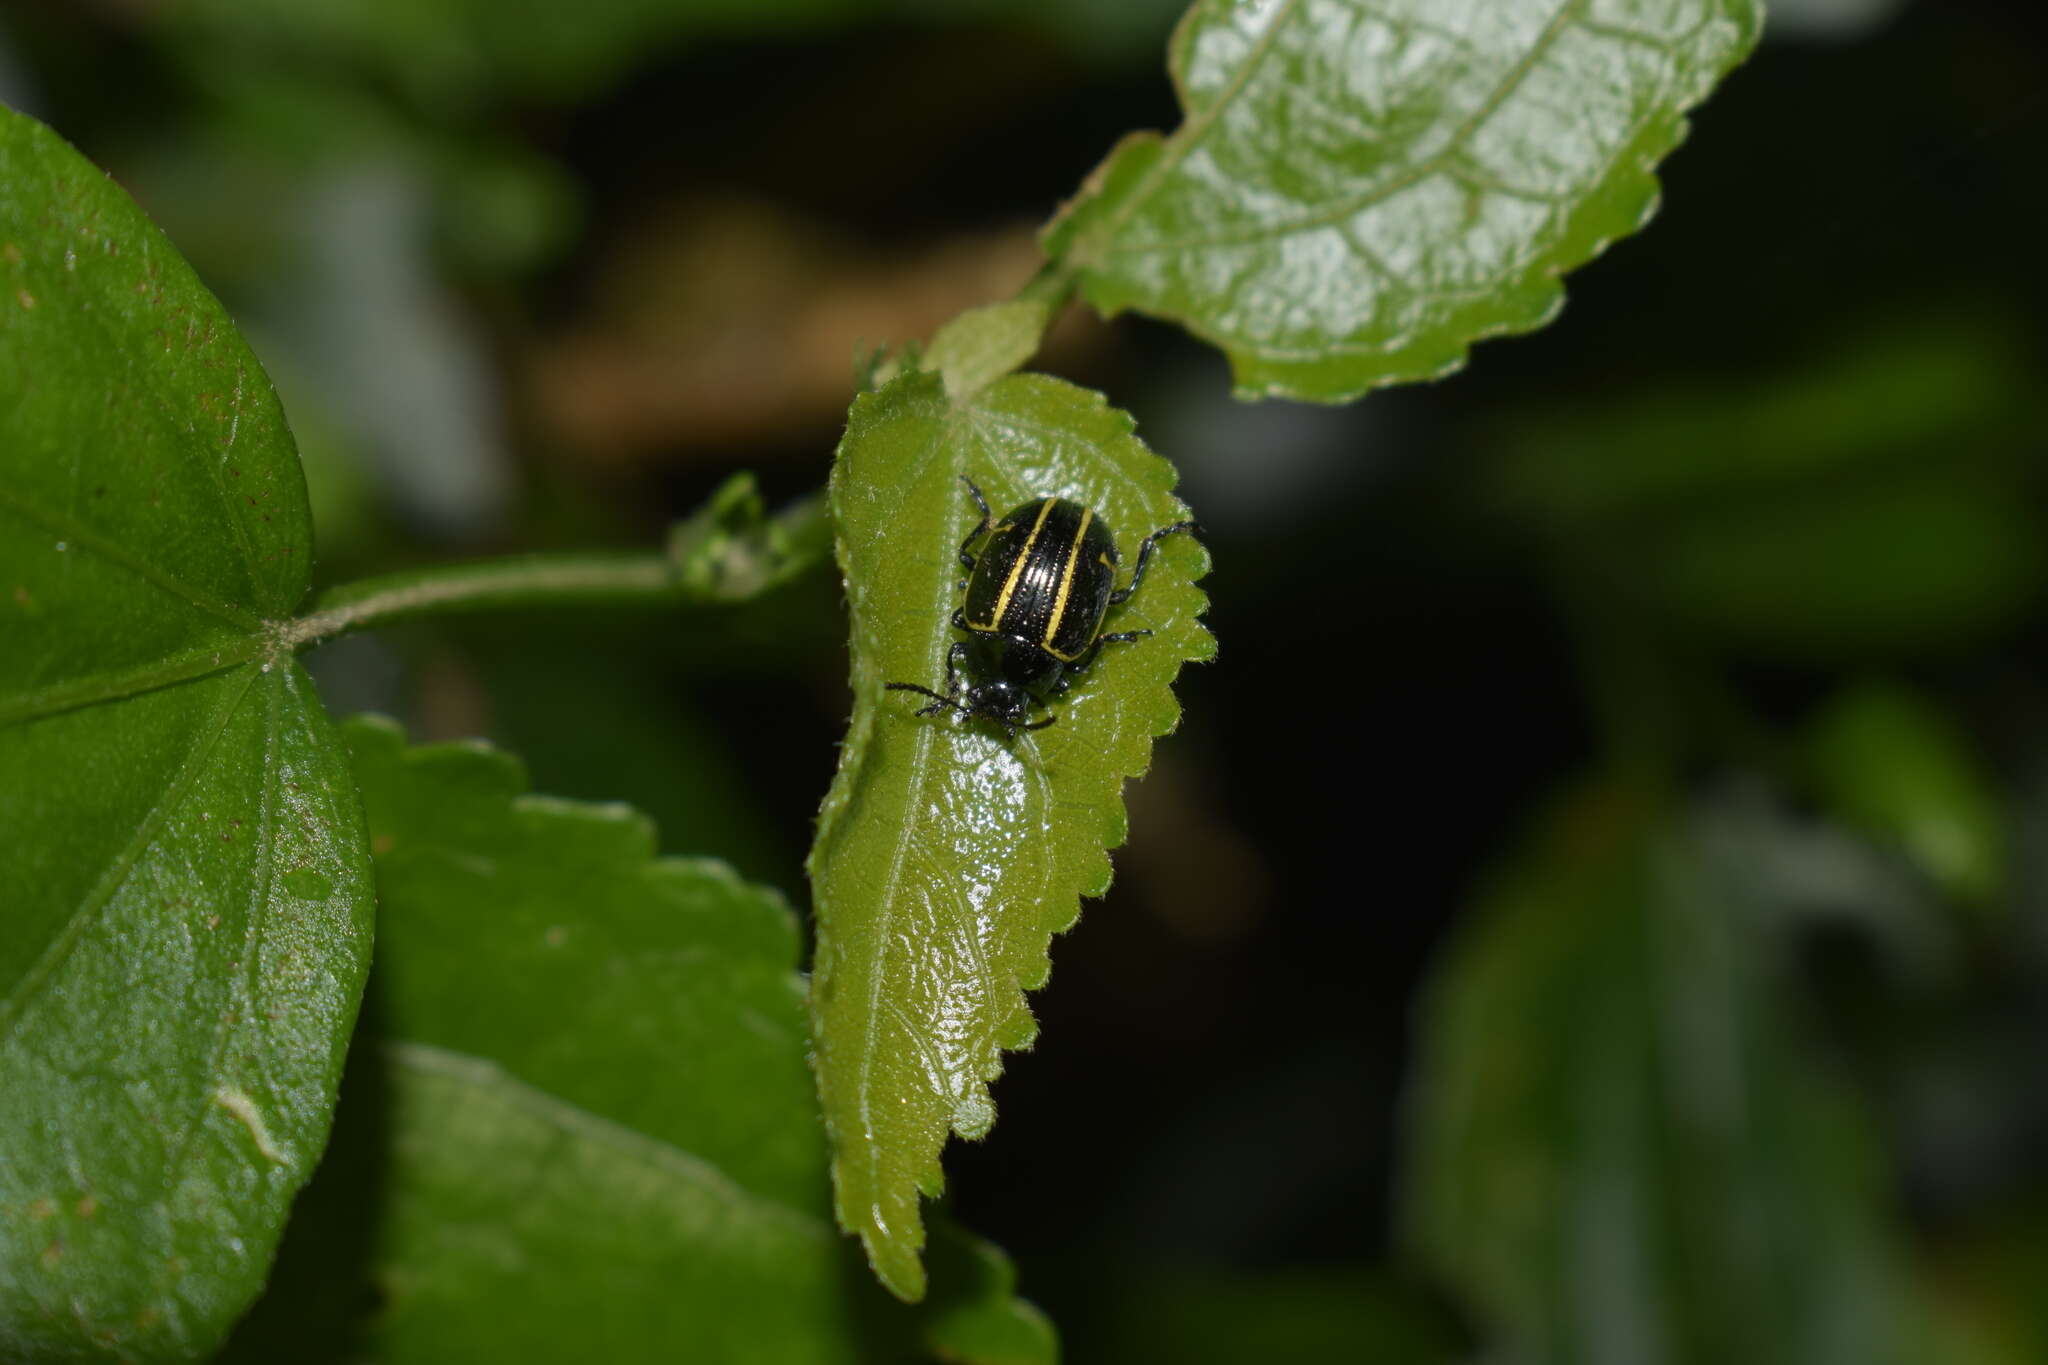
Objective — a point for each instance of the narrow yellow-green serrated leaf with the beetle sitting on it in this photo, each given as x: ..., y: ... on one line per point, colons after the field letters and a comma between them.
x: 945, y: 856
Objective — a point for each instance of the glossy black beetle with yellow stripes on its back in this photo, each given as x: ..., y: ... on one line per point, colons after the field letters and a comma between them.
x: 1033, y: 611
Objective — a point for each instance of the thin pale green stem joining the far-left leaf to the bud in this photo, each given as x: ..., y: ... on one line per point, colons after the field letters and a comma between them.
x: 523, y: 580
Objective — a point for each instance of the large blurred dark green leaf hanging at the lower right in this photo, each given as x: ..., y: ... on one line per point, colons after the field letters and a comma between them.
x: 1621, y: 1147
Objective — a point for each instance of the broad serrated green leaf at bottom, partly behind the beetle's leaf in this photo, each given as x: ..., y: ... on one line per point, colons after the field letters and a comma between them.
x: 595, y: 1094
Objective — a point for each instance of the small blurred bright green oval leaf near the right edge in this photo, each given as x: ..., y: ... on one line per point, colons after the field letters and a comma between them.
x: 1895, y: 766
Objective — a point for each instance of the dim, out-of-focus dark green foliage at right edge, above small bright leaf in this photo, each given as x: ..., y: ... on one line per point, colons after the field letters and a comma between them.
x: 1873, y: 502
